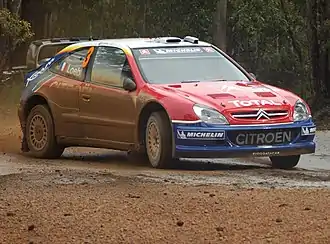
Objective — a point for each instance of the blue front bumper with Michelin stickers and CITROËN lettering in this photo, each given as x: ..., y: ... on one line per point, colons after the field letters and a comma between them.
x: 199, y: 140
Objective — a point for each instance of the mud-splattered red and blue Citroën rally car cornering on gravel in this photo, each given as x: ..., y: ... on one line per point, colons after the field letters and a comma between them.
x: 165, y: 98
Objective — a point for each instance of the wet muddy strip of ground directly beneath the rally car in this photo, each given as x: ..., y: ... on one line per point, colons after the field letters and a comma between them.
x: 242, y: 172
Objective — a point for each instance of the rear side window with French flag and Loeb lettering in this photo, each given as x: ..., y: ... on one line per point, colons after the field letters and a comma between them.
x: 73, y: 65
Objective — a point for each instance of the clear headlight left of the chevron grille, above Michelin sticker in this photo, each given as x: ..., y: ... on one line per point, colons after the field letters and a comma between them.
x: 209, y: 115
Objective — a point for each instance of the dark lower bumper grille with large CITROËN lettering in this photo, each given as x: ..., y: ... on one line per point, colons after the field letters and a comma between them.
x: 263, y: 137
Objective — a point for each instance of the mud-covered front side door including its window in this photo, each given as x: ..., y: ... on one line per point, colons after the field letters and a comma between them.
x: 107, y: 109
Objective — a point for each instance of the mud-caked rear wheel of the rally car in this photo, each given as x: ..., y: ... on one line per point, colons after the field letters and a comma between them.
x: 40, y: 134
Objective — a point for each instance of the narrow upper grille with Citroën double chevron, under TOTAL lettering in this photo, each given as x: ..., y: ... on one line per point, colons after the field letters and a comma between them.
x: 260, y: 114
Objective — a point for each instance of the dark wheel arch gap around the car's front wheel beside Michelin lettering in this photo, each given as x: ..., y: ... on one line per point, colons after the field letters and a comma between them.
x: 146, y: 111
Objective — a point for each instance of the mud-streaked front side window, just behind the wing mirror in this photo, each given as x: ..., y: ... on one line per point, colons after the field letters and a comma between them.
x: 110, y: 67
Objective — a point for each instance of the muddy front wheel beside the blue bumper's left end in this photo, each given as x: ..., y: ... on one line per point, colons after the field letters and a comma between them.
x: 159, y: 140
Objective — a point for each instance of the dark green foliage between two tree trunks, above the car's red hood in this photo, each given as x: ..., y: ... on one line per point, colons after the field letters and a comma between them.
x: 268, y: 37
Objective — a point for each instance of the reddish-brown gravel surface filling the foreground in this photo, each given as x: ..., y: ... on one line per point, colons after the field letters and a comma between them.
x: 108, y: 209
